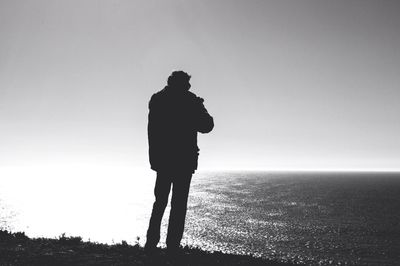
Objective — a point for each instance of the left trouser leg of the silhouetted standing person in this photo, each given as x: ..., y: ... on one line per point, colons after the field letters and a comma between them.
x: 161, y: 192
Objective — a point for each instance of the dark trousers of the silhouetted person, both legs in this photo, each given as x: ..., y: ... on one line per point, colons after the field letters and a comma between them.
x: 180, y: 191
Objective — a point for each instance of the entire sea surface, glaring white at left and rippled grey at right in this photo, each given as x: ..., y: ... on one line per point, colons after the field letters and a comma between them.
x: 318, y: 218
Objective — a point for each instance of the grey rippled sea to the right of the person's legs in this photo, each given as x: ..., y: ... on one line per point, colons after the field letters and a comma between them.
x: 318, y: 218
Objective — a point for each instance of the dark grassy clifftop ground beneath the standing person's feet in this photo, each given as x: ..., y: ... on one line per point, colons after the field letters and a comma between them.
x: 18, y: 249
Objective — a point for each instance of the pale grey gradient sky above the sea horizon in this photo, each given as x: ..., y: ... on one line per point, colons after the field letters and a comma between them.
x: 303, y: 84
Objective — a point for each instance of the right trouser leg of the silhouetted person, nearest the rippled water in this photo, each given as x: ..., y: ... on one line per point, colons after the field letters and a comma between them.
x: 176, y: 224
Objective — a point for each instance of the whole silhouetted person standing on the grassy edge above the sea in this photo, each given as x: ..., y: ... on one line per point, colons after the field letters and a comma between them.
x: 175, y: 117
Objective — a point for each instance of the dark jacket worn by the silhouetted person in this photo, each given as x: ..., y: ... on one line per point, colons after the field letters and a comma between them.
x: 174, y: 120
